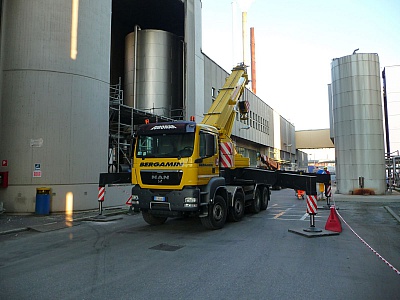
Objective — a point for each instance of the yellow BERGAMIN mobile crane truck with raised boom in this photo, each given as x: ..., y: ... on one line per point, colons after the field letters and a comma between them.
x: 185, y: 168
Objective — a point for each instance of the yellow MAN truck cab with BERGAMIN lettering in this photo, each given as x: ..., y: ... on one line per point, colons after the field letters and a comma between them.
x: 173, y: 165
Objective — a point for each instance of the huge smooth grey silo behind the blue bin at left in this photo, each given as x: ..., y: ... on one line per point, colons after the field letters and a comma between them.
x: 54, y: 105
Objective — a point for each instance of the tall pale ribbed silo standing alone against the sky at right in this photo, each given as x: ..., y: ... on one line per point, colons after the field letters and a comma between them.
x: 358, y: 123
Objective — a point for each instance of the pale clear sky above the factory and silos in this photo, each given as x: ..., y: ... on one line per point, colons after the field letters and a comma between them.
x: 295, y: 43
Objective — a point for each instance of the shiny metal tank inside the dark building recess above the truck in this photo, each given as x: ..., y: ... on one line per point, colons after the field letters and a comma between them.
x: 159, y: 87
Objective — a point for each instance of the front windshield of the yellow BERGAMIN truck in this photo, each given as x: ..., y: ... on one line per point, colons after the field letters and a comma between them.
x: 165, y: 145
